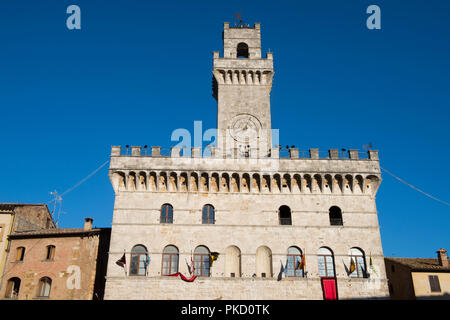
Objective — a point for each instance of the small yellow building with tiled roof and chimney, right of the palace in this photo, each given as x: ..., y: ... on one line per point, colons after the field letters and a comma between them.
x: 419, y: 278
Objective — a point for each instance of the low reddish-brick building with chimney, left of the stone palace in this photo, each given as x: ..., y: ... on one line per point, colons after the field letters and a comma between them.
x: 56, y: 263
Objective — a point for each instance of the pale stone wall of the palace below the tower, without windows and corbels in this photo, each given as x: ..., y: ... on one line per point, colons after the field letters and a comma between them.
x: 247, y: 221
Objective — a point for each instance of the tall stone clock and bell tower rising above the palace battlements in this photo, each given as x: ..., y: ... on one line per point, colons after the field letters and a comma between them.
x: 242, y: 83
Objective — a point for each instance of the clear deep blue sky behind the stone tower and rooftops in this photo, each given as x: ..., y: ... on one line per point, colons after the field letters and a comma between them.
x: 137, y: 70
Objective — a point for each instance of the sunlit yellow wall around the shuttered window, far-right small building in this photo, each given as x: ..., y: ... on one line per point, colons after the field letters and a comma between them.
x: 422, y: 287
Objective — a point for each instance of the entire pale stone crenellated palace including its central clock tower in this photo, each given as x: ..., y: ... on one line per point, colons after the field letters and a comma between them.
x: 263, y: 211
